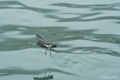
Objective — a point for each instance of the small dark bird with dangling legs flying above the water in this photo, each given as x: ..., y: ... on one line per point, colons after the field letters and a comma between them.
x: 46, y: 45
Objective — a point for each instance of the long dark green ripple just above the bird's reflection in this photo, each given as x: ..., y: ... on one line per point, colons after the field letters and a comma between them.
x: 15, y: 70
